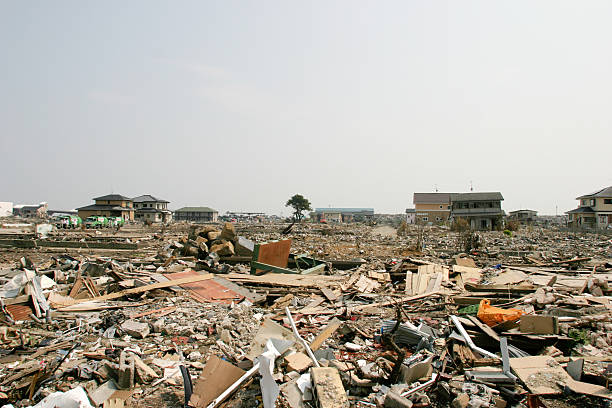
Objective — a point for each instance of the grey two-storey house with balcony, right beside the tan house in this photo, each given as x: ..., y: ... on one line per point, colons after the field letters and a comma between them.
x: 481, y: 210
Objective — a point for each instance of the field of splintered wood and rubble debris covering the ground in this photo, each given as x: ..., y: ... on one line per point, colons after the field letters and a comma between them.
x: 427, y: 317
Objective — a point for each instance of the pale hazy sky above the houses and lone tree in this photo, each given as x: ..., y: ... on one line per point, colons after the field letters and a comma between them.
x: 238, y: 105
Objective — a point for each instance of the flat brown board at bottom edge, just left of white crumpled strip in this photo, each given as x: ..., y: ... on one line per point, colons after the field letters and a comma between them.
x: 217, y: 376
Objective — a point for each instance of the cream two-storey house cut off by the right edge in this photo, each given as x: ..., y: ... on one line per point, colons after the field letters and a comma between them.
x: 594, y: 210
